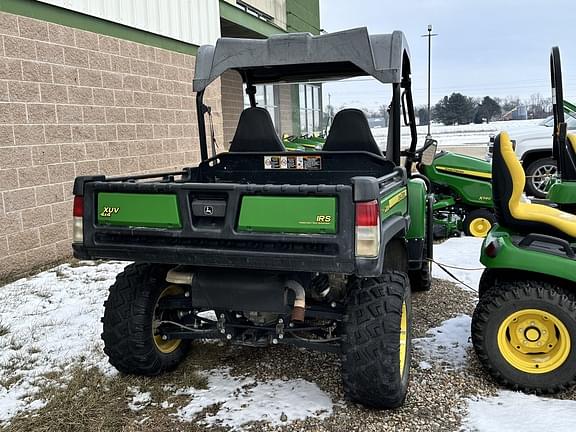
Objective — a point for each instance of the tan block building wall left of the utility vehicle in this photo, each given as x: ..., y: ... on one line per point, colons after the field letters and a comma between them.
x: 75, y: 103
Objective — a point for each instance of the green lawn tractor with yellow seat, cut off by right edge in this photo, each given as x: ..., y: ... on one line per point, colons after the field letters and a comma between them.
x: 524, y: 326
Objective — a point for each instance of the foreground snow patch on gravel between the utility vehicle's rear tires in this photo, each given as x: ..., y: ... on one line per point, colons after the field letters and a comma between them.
x: 243, y: 399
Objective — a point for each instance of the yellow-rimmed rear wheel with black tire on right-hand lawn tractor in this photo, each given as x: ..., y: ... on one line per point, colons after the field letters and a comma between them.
x: 524, y: 333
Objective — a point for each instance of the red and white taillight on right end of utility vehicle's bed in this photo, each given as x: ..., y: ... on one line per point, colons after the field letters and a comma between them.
x: 367, y: 229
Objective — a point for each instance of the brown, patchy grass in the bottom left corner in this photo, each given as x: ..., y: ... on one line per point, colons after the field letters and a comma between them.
x: 93, y: 402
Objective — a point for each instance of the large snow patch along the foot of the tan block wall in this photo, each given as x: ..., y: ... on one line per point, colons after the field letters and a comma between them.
x: 52, y: 321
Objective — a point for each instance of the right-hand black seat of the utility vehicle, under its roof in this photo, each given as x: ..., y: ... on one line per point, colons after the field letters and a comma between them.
x: 350, y: 131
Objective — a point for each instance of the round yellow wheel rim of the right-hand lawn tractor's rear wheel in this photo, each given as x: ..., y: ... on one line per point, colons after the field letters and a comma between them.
x: 534, y: 341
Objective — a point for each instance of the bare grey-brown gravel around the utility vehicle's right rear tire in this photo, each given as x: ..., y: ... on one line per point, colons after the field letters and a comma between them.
x: 436, y: 396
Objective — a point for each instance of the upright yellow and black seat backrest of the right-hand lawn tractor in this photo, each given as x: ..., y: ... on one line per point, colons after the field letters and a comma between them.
x: 508, y: 179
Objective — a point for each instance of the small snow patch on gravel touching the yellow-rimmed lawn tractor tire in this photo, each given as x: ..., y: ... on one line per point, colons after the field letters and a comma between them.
x: 447, y: 344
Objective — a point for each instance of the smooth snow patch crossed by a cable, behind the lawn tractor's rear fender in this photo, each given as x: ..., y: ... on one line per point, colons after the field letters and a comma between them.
x: 463, y: 252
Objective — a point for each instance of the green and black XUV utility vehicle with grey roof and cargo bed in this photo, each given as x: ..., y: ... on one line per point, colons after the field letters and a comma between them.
x: 316, y: 250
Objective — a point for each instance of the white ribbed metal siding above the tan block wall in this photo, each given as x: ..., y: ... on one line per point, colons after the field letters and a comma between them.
x: 192, y: 21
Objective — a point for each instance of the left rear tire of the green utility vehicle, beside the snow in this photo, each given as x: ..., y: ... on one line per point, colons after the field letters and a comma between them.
x: 128, y: 322
